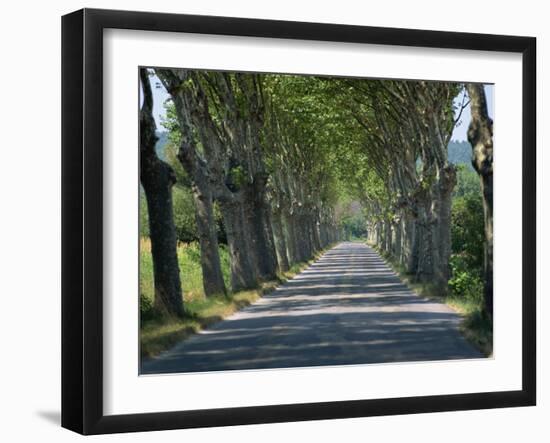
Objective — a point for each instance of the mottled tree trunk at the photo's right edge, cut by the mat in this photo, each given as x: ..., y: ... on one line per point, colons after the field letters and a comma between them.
x: 480, y: 136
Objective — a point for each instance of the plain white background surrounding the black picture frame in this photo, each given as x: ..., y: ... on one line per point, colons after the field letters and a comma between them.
x: 30, y: 219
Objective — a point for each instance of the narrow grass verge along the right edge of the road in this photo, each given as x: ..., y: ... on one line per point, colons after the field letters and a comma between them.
x: 475, y: 327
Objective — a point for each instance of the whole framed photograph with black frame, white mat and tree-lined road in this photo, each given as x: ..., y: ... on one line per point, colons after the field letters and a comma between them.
x: 268, y: 221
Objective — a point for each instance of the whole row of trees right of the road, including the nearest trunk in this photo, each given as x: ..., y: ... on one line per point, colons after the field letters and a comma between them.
x: 408, y: 182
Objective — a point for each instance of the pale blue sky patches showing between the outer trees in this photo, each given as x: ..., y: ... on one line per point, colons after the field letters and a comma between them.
x: 160, y: 95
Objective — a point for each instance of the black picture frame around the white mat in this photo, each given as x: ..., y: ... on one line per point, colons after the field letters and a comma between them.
x: 82, y: 219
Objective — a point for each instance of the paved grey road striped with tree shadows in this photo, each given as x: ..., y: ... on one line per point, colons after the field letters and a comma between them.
x: 347, y: 308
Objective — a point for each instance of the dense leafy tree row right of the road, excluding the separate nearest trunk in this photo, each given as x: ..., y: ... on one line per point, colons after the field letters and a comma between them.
x: 407, y: 127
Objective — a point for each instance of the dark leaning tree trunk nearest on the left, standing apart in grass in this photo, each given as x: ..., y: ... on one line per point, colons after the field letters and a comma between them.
x: 157, y: 179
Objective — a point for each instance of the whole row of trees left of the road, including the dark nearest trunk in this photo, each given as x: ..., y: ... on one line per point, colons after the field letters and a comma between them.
x: 249, y: 154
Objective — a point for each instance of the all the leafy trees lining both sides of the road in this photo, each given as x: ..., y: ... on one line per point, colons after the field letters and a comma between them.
x: 280, y: 155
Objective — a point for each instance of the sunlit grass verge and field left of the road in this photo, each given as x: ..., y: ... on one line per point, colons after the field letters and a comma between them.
x: 158, y: 333
